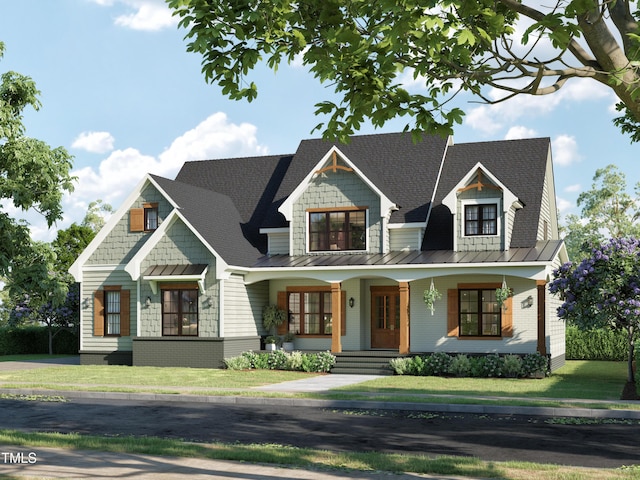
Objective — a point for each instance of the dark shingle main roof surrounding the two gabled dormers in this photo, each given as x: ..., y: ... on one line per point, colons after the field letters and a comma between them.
x: 242, y: 195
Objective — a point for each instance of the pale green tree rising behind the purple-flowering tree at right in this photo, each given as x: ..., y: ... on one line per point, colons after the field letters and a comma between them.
x: 608, y: 211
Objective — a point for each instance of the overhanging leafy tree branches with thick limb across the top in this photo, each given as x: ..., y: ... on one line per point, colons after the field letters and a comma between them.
x: 362, y: 48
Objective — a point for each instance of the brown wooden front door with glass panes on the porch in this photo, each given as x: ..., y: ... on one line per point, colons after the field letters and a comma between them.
x: 385, y: 317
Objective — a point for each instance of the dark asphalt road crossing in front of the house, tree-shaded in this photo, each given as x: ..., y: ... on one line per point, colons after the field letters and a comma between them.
x: 489, y: 437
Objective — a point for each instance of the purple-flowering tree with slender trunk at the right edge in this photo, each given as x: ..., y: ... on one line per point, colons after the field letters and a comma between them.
x: 603, y: 291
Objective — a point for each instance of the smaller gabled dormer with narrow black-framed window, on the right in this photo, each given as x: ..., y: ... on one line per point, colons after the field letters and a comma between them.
x: 483, y: 210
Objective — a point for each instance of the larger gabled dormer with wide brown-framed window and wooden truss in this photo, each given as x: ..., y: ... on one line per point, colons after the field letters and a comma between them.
x: 337, y: 209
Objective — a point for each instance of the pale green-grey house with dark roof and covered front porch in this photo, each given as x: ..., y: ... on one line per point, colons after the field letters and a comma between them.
x: 347, y: 238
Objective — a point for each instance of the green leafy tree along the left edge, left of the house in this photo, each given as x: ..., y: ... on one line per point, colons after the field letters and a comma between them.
x: 32, y: 176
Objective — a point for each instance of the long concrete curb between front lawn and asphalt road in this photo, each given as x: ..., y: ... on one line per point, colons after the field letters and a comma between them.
x: 316, y: 403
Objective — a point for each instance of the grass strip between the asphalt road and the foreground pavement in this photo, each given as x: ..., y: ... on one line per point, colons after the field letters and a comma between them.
x: 315, y: 459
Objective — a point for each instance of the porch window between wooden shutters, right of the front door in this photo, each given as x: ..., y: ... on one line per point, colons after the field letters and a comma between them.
x: 479, y: 313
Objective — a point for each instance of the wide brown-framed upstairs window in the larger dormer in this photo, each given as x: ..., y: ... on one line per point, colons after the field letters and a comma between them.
x: 337, y: 230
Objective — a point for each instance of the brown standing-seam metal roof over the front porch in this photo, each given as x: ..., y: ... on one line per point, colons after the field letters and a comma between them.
x: 543, y: 252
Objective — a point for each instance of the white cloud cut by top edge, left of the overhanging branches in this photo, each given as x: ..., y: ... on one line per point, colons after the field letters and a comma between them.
x: 145, y: 15
